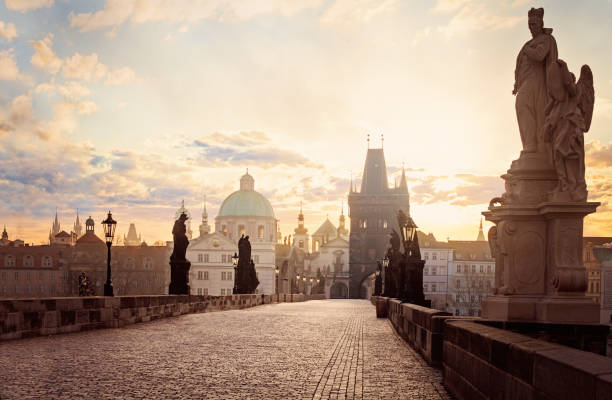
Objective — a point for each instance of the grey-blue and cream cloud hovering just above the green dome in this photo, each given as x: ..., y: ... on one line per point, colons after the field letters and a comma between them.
x: 246, y: 148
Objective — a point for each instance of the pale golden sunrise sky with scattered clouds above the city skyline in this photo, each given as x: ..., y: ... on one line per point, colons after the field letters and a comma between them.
x: 132, y: 106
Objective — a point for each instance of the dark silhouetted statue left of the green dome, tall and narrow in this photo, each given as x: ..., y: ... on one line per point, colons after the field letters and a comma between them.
x: 179, y: 265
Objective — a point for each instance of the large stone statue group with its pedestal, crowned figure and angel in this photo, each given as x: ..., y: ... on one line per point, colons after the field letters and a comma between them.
x: 537, y: 237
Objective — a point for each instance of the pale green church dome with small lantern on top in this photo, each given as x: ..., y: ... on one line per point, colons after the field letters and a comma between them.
x: 246, y: 202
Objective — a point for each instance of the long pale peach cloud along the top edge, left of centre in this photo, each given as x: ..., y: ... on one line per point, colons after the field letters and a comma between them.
x: 117, y: 12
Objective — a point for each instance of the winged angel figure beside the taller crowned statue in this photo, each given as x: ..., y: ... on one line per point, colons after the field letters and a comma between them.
x: 568, y: 117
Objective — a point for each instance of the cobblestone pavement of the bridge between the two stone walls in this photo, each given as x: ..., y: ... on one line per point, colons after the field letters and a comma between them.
x: 314, y: 350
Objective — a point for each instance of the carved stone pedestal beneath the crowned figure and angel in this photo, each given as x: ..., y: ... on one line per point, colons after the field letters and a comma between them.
x: 537, y: 245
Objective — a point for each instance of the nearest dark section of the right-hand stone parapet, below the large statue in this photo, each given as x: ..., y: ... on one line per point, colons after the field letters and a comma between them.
x: 483, y: 362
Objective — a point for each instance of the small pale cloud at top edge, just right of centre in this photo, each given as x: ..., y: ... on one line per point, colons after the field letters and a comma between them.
x: 360, y: 11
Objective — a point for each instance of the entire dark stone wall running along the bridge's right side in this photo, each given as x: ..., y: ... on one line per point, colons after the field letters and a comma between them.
x: 481, y: 361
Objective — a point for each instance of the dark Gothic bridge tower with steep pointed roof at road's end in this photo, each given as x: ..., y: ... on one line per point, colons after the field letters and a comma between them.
x: 373, y: 213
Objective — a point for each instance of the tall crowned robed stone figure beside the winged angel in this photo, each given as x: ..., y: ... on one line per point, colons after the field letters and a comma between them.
x: 531, y: 85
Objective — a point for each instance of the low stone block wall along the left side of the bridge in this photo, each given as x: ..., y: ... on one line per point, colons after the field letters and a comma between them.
x: 23, y: 318
